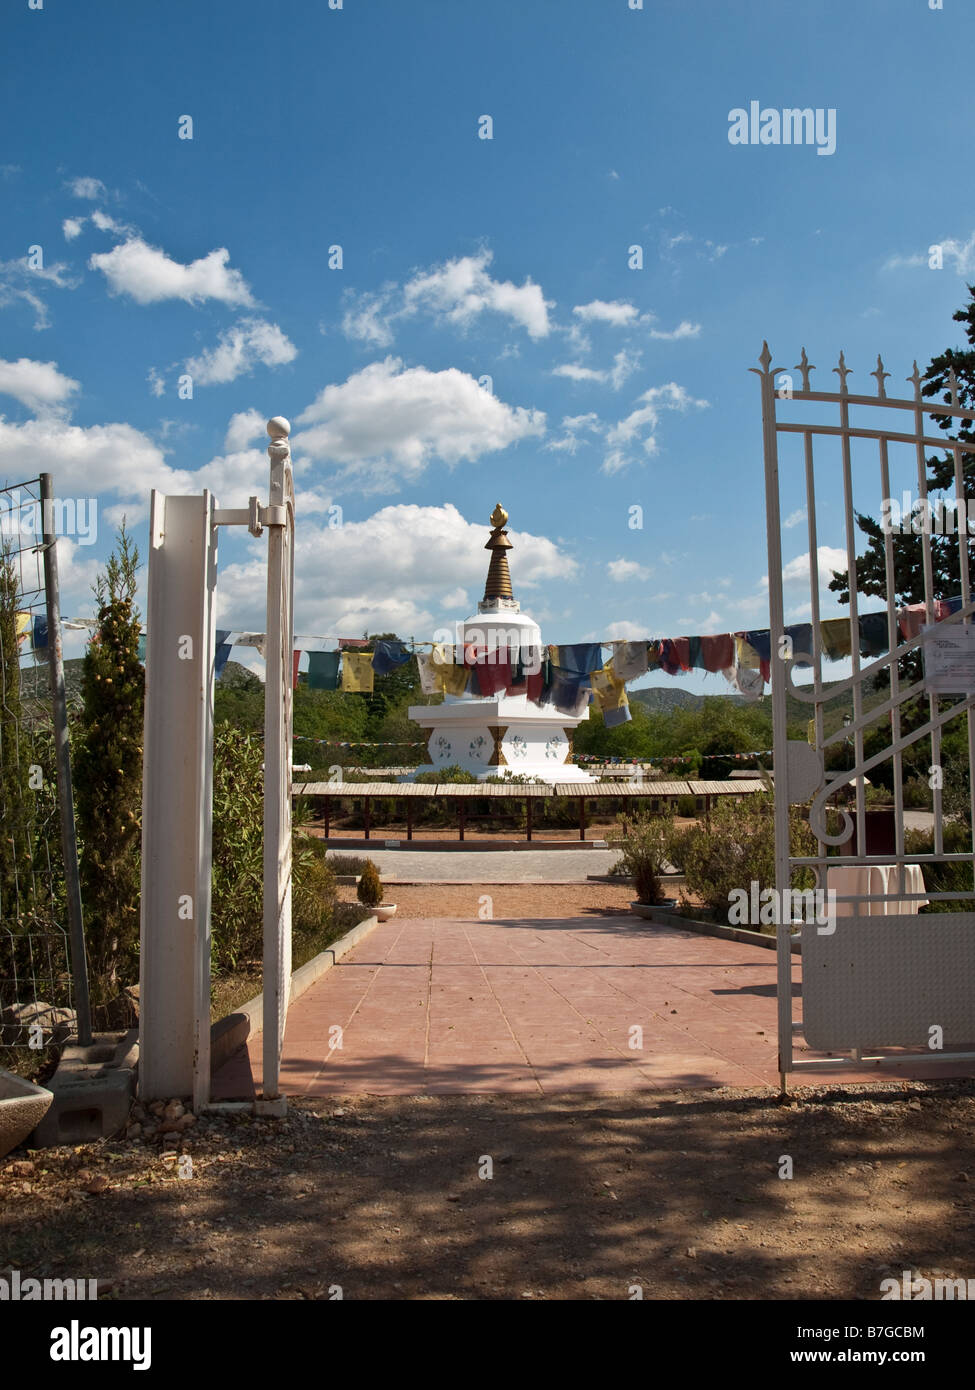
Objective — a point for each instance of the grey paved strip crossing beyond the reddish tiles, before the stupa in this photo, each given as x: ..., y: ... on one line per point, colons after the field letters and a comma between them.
x: 490, y: 865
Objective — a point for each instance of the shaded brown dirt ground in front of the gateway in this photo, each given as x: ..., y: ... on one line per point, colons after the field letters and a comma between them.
x: 383, y: 1197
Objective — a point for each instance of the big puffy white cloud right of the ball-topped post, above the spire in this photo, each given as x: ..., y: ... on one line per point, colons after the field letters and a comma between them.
x: 387, y: 422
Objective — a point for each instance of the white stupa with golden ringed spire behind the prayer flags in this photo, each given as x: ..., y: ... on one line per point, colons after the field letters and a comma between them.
x: 501, y: 735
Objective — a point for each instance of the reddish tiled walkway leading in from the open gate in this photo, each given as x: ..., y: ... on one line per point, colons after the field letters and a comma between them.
x: 433, y: 1006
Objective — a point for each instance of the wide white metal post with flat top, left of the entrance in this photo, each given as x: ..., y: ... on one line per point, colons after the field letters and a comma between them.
x: 177, y: 801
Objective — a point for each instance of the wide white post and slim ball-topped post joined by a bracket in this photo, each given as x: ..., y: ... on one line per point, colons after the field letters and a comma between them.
x: 177, y: 799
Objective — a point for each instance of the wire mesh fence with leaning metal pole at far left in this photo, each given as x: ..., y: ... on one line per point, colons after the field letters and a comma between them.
x: 38, y: 918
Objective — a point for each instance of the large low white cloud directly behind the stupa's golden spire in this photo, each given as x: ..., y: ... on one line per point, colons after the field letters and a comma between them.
x: 404, y: 569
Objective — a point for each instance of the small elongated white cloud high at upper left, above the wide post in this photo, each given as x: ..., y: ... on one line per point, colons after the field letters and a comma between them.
x: 150, y: 276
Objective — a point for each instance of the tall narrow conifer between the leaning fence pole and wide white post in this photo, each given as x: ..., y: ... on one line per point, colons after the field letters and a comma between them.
x: 109, y: 783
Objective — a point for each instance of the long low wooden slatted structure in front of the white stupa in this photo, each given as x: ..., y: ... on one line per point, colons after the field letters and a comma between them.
x: 529, y: 793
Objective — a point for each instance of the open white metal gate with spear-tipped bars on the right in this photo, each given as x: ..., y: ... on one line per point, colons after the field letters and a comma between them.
x: 881, y: 985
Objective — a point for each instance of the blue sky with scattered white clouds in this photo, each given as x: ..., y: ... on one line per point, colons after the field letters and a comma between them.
x: 462, y: 259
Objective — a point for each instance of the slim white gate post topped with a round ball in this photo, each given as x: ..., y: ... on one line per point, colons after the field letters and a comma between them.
x: 280, y: 521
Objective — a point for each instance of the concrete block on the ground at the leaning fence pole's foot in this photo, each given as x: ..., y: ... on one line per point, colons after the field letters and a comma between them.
x: 92, y: 1089
